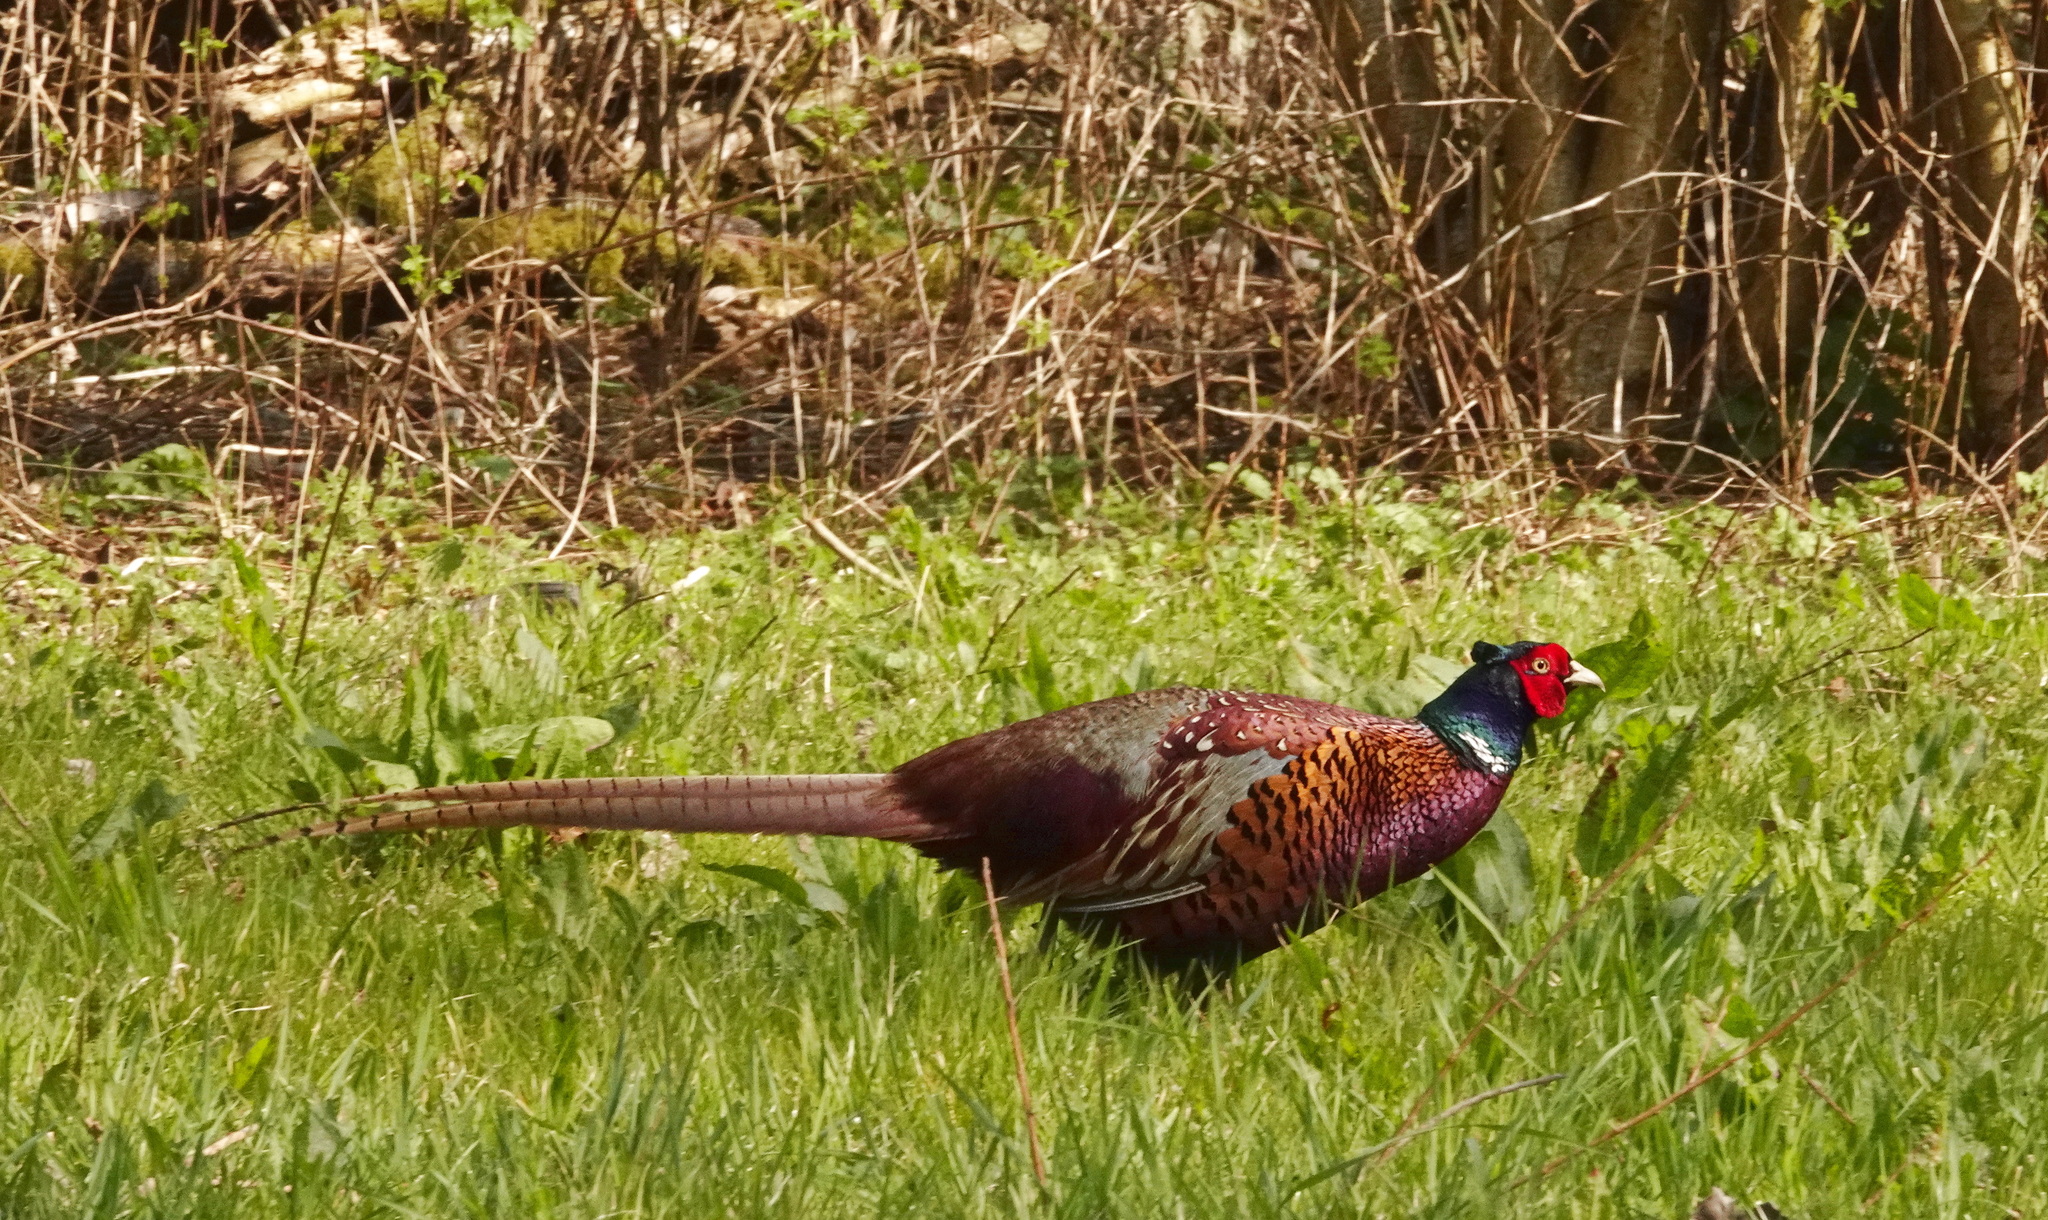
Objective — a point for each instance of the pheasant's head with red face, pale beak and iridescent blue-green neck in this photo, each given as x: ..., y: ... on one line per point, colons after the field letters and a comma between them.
x: 1492, y: 705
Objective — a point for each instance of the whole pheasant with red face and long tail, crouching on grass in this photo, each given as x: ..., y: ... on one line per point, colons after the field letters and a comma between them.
x: 1203, y: 826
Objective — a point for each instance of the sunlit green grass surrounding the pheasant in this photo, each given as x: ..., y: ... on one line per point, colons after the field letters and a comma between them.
x: 501, y: 1027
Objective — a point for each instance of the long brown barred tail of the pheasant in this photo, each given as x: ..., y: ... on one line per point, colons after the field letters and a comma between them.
x: 775, y: 805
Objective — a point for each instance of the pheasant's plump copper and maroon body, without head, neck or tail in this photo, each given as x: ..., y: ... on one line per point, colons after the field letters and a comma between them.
x: 1199, y: 822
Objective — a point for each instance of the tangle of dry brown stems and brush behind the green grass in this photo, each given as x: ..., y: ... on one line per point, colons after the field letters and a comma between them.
x: 579, y: 255
